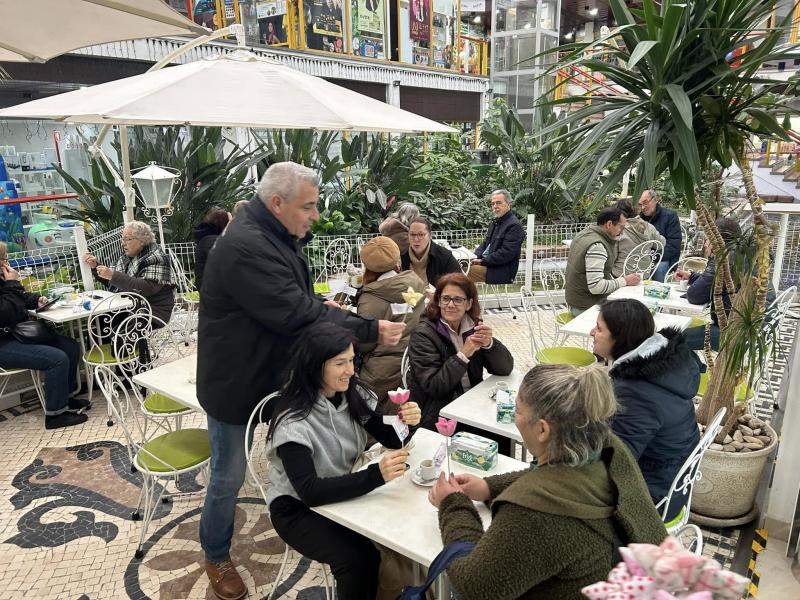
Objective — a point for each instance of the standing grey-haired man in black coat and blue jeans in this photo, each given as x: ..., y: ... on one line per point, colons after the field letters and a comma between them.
x: 257, y: 298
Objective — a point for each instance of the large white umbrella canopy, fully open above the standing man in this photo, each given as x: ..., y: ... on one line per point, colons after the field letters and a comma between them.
x: 238, y: 89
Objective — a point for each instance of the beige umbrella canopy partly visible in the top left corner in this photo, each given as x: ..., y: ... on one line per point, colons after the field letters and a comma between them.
x: 38, y: 30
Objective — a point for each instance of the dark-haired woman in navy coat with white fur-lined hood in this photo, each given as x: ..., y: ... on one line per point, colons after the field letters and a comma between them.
x: 655, y: 380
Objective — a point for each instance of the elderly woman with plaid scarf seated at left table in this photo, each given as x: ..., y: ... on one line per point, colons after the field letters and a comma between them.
x: 143, y: 268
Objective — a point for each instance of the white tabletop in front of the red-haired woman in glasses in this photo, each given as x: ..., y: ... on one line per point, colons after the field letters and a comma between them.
x: 476, y: 408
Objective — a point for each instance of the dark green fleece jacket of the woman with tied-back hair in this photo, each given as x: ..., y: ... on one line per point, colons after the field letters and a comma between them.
x: 552, y: 528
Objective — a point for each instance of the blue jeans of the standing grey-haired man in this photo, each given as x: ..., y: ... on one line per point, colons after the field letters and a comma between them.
x: 228, y: 467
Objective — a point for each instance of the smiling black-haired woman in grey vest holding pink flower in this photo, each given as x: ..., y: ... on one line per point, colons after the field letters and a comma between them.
x: 321, y: 423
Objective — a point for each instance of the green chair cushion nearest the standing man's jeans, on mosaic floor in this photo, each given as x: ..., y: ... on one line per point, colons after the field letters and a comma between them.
x: 181, y: 449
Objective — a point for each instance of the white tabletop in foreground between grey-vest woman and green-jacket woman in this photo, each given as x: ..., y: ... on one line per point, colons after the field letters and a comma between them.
x: 398, y: 514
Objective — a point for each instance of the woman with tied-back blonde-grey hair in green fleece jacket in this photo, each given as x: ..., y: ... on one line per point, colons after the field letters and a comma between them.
x: 554, y: 526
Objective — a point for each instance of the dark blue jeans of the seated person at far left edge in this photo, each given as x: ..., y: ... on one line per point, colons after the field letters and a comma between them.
x: 58, y: 362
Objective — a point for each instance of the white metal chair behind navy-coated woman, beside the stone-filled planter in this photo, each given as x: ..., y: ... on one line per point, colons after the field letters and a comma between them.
x: 680, y: 493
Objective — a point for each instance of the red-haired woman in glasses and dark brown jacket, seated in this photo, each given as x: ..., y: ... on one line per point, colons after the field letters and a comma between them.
x: 451, y: 347
